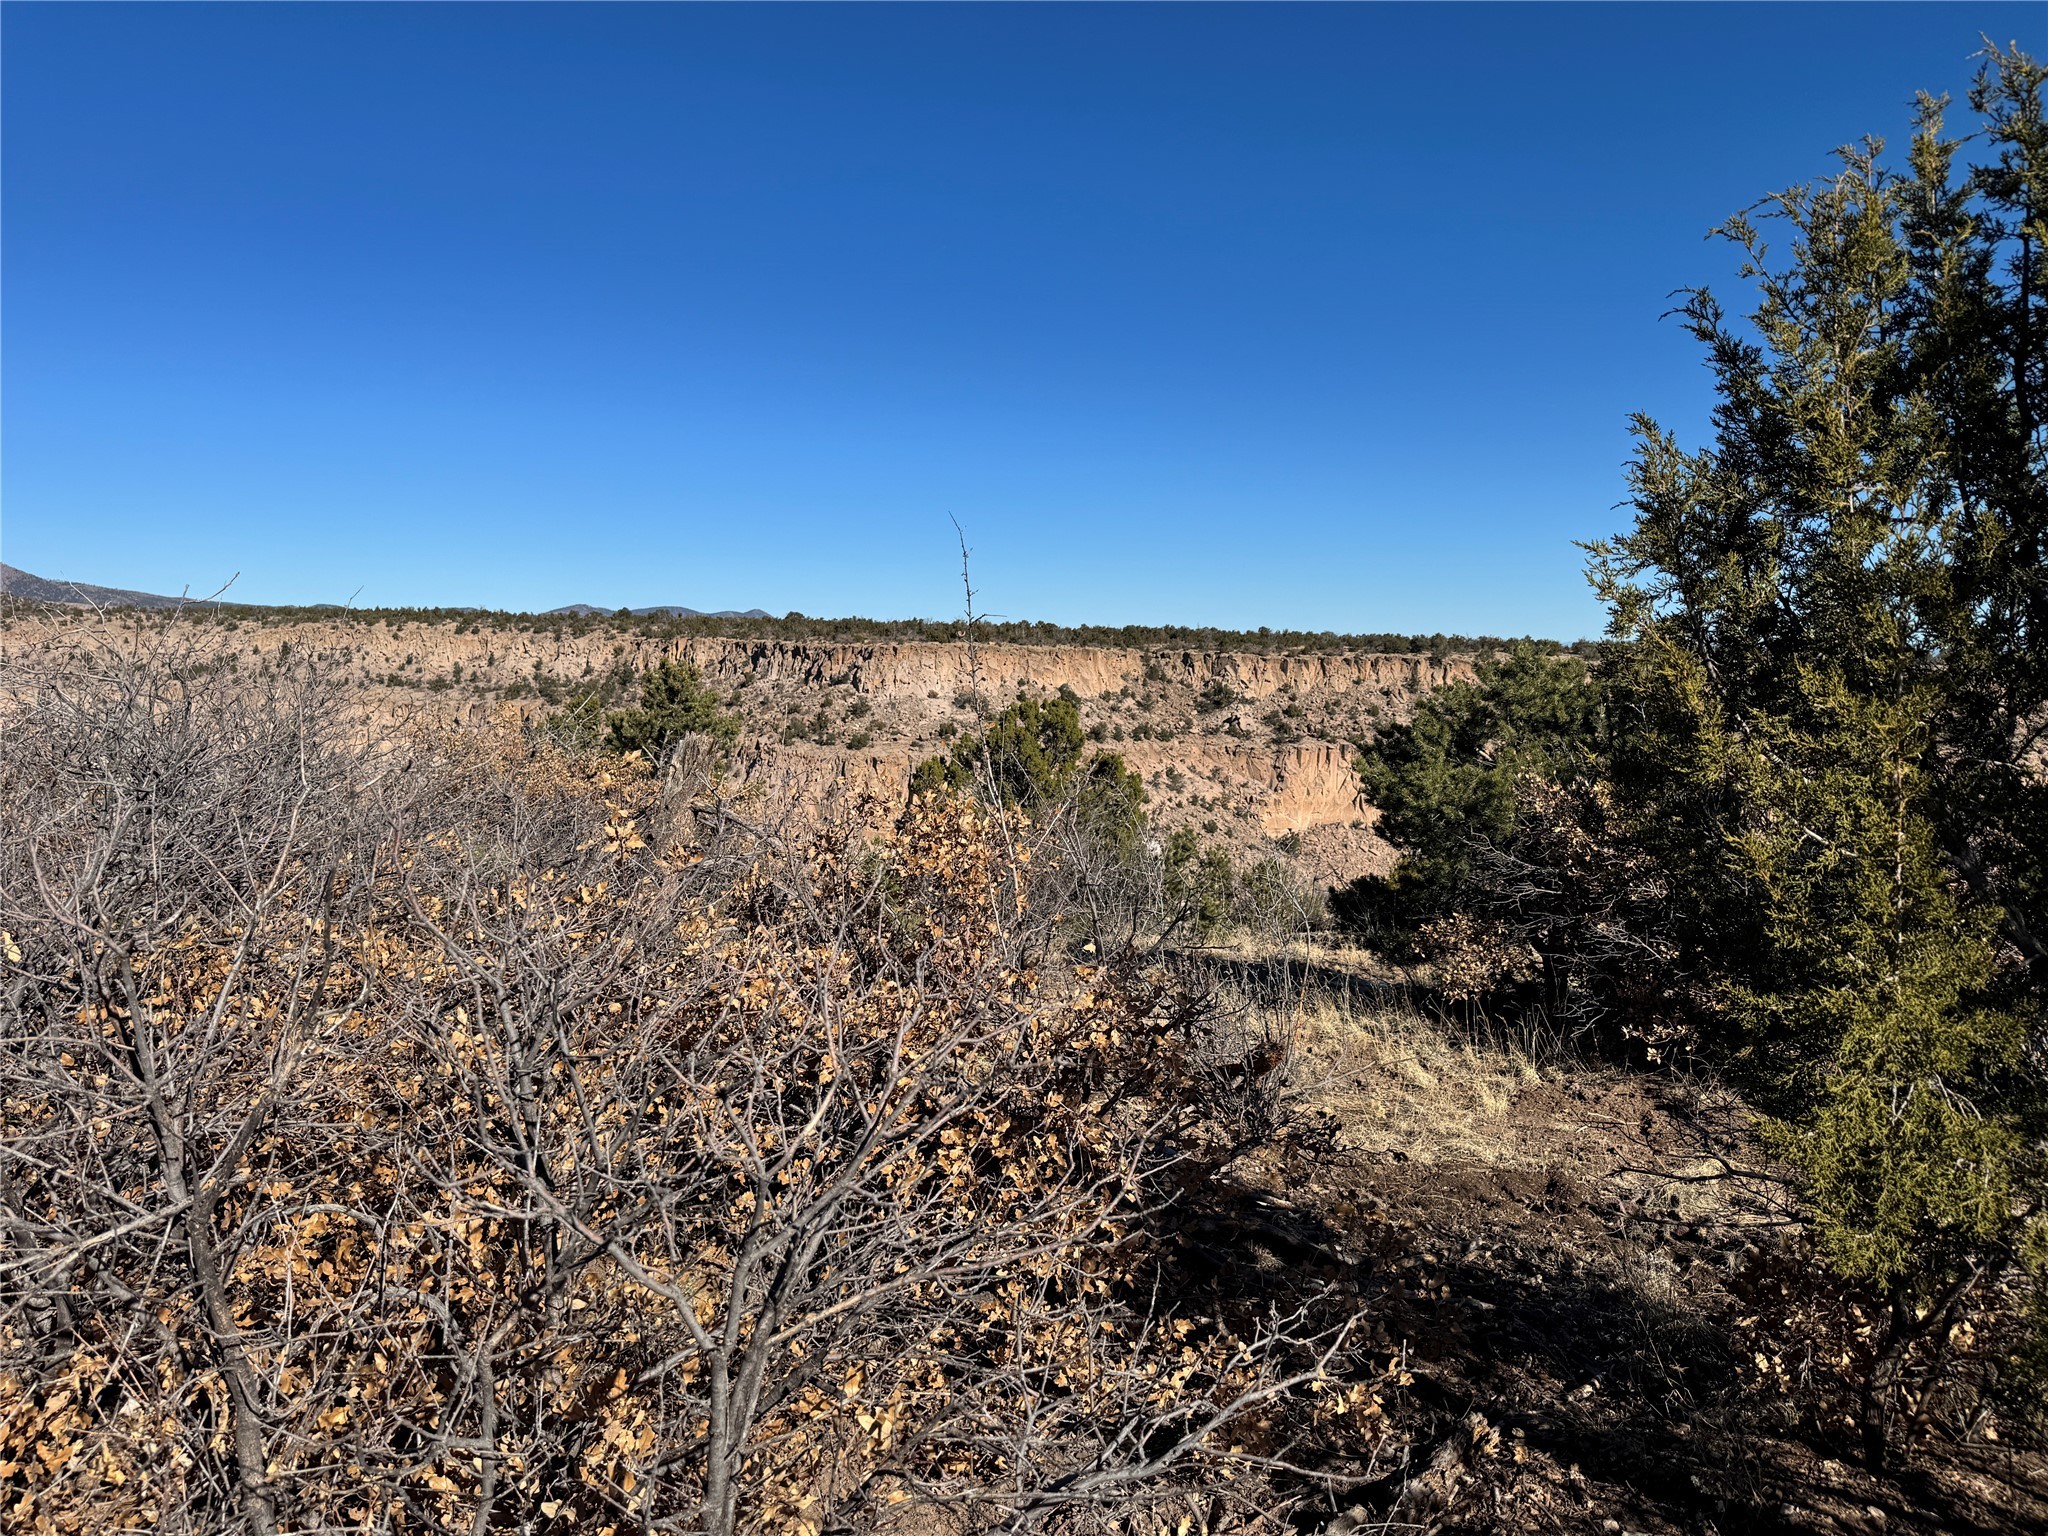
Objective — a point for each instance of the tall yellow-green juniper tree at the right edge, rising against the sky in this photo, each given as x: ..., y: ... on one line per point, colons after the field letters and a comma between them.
x: 1832, y: 695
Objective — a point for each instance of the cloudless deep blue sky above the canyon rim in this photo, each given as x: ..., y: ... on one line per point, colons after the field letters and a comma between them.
x: 1318, y: 316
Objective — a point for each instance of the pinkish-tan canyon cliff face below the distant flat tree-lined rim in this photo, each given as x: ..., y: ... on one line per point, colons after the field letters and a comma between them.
x: 1250, y: 751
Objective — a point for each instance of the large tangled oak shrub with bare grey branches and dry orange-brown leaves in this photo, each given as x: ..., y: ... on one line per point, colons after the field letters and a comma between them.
x: 456, y: 1134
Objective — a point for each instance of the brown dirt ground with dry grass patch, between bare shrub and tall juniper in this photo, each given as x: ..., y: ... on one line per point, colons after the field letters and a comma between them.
x: 1601, y: 1269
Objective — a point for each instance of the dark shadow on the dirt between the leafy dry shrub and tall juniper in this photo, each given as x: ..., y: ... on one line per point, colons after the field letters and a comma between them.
x: 1588, y: 1314
